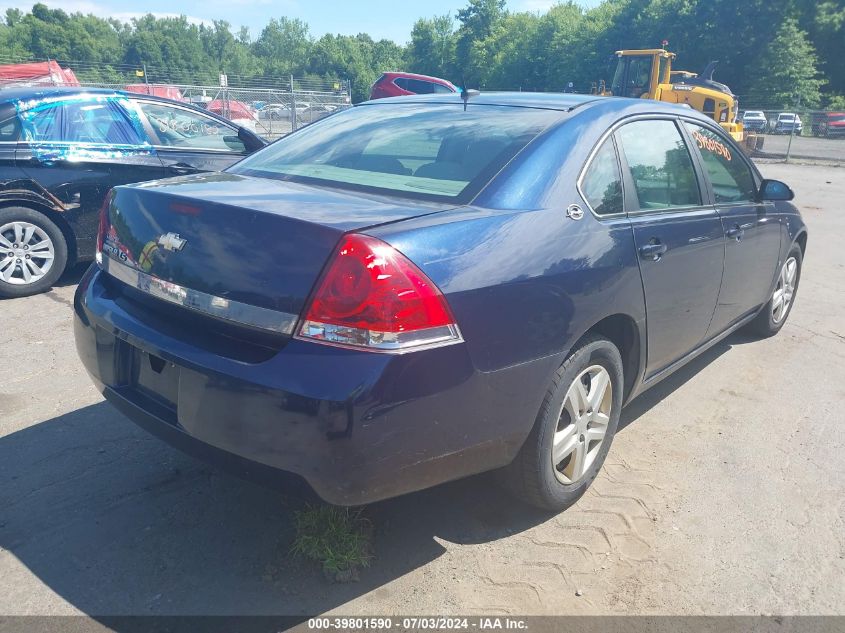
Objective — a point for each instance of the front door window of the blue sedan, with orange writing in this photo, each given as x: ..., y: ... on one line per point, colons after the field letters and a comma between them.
x: 730, y: 176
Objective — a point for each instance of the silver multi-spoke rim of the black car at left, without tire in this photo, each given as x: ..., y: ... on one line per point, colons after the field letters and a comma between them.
x: 26, y: 253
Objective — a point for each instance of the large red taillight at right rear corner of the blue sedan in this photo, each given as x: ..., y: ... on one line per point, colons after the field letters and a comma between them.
x: 372, y: 296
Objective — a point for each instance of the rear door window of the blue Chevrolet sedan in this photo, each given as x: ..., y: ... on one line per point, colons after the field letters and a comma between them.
x: 660, y: 165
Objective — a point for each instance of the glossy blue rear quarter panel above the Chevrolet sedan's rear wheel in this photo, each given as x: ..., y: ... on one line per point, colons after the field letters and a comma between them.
x: 524, y: 281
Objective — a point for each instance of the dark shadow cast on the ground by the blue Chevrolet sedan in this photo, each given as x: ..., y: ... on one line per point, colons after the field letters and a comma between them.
x: 116, y: 522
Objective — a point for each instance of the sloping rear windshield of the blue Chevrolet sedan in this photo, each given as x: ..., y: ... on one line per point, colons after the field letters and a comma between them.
x: 432, y: 151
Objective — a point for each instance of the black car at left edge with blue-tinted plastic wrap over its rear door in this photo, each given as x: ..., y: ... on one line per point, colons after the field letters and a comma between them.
x: 62, y: 149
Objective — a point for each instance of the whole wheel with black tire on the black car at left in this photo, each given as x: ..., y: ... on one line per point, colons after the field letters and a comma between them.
x: 33, y: 252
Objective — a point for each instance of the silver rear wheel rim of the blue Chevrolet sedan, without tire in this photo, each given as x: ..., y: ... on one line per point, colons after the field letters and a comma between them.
x: 582, y: 424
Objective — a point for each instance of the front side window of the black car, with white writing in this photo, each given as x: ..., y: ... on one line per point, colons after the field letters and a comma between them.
x: 184, y: 129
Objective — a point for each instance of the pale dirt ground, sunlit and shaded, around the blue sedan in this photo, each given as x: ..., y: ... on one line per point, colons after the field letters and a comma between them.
x: 724, y: 492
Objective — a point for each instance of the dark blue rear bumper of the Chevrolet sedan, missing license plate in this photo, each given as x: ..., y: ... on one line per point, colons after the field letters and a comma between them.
x: 355, y: 426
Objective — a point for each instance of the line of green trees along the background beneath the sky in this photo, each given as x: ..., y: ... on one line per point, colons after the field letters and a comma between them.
x: 772, y: 53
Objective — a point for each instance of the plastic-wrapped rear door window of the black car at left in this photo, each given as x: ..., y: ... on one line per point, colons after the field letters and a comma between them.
x: 98, y: 121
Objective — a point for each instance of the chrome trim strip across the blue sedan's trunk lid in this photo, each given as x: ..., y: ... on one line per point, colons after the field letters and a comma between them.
x: 219, y: 307
